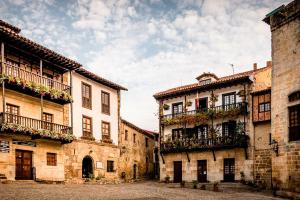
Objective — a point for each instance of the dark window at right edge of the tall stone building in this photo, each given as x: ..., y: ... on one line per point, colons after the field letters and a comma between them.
x: 294, y: 123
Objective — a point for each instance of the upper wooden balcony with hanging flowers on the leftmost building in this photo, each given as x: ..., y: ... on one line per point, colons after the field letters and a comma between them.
x: 35, y: 85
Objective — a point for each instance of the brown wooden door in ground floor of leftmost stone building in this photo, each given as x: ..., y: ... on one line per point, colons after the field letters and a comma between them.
x: 23, y: 165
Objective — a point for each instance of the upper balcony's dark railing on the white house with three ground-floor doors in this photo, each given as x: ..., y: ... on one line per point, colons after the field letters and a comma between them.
x: 241, y: 107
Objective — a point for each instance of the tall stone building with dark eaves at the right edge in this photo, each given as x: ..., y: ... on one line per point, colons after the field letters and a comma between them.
x: 285, y: 117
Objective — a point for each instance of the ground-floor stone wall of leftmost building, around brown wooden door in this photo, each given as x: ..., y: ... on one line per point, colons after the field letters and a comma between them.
x: 39, y: 157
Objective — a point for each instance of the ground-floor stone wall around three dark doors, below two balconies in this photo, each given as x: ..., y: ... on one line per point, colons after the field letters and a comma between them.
x: 214, y: 168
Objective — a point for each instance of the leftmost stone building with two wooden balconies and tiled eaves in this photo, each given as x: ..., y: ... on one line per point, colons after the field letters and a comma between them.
x: 34, y: 116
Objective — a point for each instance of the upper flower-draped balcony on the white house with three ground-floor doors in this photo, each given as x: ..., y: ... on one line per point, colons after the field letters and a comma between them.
x: 204, y: 115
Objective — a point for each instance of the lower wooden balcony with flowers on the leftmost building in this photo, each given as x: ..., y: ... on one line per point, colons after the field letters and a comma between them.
x: 35, y: 128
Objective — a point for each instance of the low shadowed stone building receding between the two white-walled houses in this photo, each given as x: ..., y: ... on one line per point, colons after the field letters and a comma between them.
x: 138, y: 146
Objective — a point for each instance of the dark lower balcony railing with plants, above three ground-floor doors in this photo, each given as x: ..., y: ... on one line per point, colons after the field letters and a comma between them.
x: 199, y: 144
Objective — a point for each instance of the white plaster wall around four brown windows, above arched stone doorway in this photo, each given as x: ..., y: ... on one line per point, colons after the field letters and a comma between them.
x: 95, y: 113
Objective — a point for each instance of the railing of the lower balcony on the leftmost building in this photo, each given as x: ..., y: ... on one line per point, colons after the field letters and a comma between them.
x: 25, y: 124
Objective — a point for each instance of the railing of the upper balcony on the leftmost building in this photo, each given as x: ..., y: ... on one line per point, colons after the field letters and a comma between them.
x: 17, y: 72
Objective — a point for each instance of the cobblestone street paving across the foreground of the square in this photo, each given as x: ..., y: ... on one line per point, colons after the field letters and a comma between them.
x: 137, y: 191
